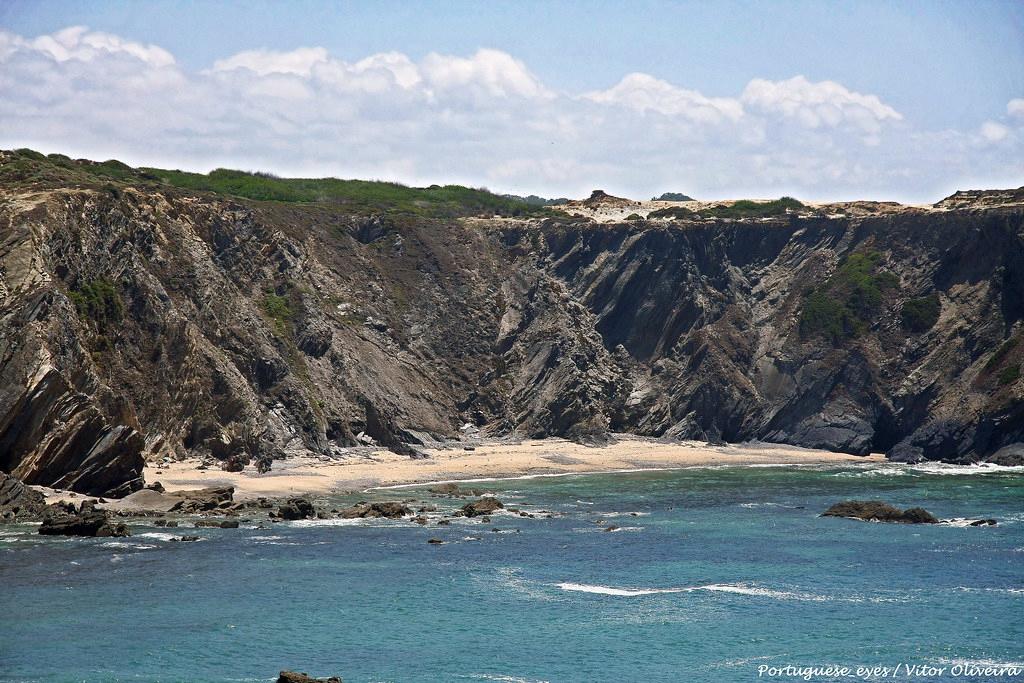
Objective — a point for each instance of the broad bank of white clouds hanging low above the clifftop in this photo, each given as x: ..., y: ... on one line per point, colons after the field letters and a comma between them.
x: 482, y: 119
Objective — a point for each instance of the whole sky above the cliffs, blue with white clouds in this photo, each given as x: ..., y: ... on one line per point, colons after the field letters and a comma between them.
x: 824, y: 101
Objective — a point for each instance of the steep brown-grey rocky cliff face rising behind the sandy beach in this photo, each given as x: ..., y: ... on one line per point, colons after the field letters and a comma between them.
x: 141, y: 322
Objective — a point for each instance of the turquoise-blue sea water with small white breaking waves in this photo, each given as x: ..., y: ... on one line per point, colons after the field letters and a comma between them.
x: 719, y: 572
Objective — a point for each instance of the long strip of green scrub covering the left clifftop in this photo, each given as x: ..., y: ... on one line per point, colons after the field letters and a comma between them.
x: 26, y: 167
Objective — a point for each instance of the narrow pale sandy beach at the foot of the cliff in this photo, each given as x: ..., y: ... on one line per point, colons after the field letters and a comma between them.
x: 382, y: 468
